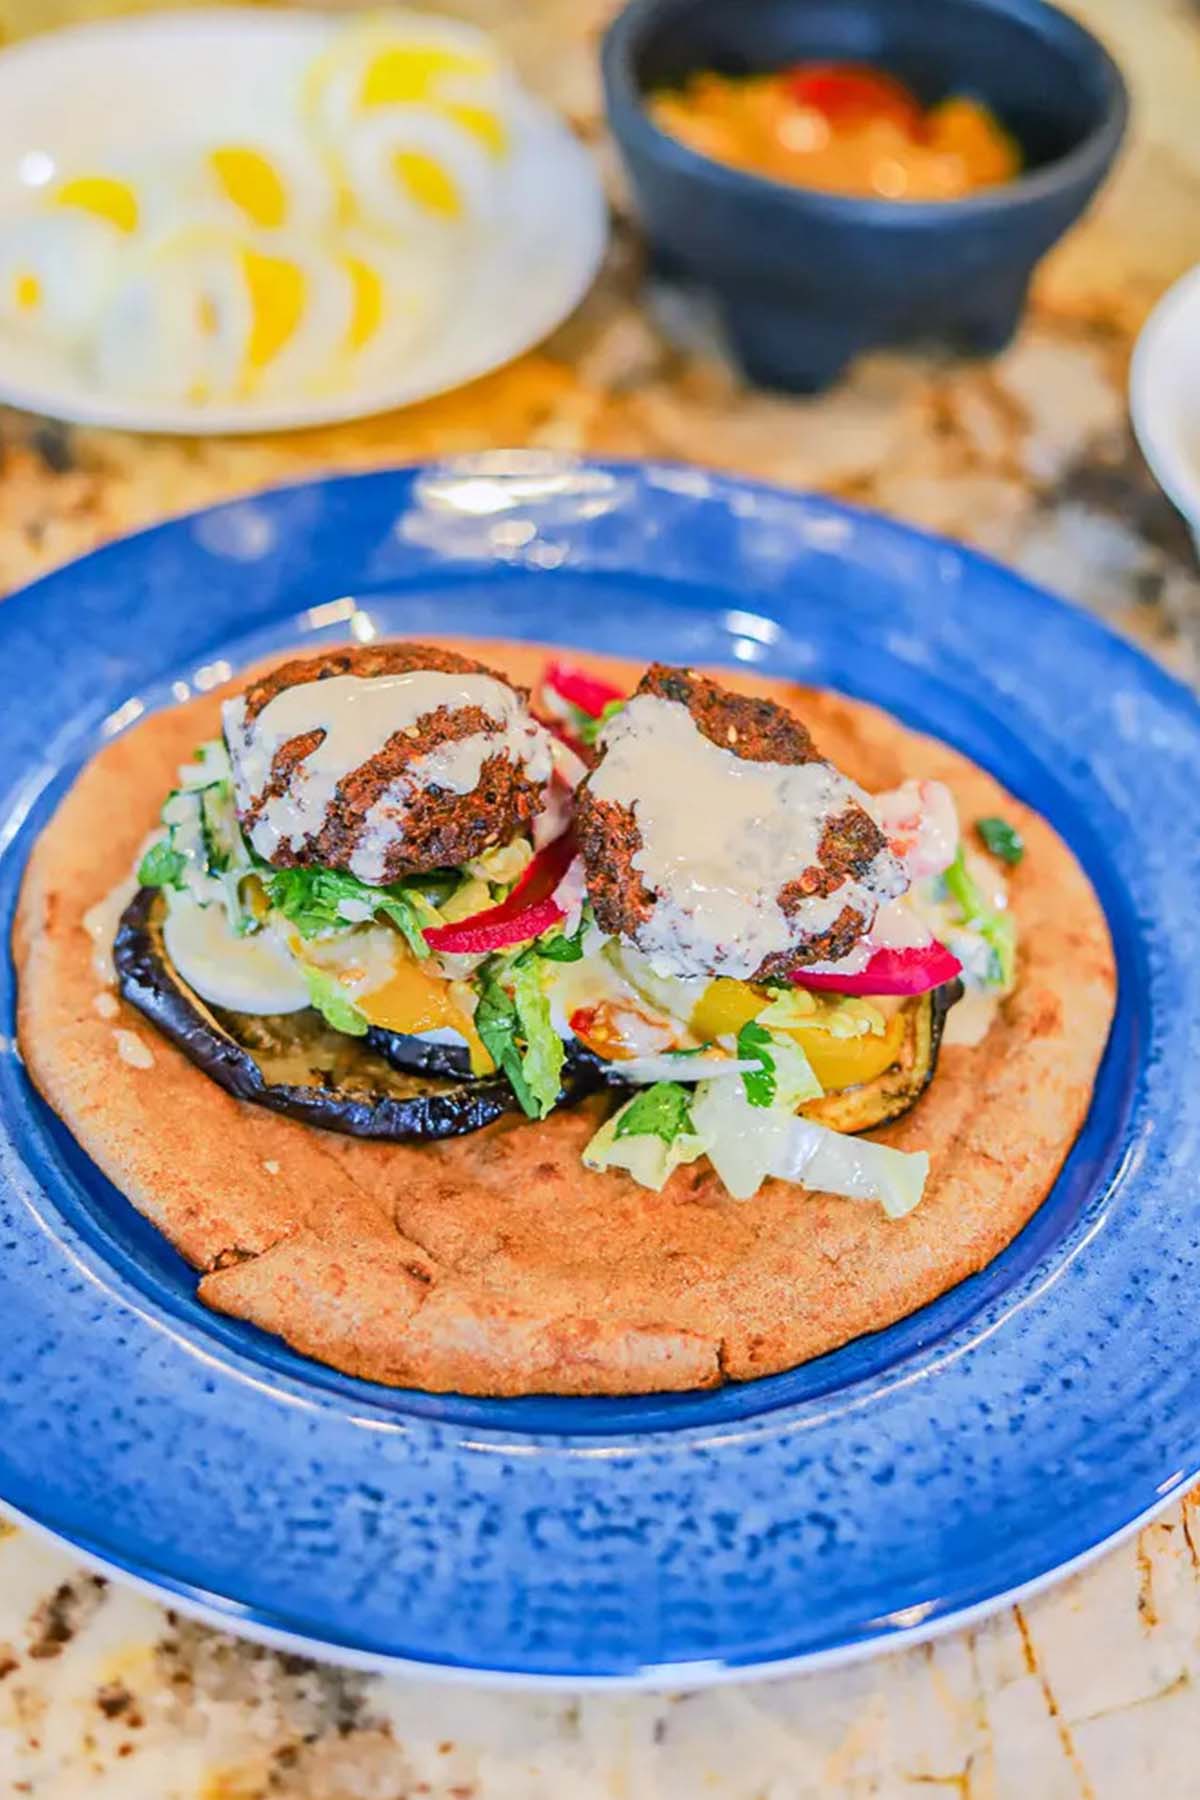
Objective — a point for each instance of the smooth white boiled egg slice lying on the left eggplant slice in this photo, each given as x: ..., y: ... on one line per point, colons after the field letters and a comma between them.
x: 247, y: 975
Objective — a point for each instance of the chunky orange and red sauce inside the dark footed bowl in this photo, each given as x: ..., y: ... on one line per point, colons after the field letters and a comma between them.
x: 846, y: 129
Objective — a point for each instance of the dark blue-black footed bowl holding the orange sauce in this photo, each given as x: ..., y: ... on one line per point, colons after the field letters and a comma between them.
x: 809, y: 280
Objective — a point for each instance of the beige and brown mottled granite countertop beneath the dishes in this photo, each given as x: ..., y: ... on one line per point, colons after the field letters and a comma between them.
x: 1088, y: 1691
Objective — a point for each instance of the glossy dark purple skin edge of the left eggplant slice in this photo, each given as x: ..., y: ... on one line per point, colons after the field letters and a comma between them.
x: 148, y: 982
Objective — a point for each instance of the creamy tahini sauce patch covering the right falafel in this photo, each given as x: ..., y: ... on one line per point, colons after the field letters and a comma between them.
x: 722, y: 838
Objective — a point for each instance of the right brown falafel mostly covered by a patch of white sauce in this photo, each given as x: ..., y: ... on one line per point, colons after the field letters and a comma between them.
x: 816, y: 913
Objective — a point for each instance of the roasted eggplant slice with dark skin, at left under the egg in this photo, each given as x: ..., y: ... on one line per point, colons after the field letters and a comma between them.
x: 296, y: 1063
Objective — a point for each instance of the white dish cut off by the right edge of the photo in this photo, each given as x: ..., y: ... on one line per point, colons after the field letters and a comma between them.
x: 1165, y: 395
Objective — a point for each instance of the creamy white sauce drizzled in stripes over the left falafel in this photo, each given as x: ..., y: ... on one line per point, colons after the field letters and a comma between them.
x: 359, y: 715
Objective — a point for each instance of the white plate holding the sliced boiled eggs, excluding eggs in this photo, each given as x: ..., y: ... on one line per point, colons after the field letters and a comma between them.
x: 120, y: 87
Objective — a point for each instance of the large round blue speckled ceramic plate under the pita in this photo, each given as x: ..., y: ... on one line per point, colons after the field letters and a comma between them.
x: 888, y: 1489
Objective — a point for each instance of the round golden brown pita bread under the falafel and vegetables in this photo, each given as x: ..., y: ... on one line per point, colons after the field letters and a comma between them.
x: 496, y: 1264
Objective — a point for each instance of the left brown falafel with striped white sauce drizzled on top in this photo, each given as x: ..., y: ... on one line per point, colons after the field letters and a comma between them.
x: 323, y: 780
